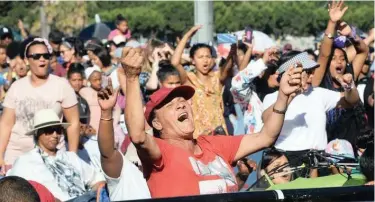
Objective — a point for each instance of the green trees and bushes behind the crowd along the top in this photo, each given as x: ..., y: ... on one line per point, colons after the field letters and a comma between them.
x: 172, y: 18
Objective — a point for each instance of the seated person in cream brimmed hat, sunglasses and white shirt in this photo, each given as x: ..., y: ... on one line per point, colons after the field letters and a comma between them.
x: 61, y: 172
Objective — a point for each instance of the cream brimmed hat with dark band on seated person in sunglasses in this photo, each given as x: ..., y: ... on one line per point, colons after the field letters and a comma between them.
x: 46, y: 118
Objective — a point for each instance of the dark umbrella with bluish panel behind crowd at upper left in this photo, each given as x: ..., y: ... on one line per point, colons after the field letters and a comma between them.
x: 98, y: 30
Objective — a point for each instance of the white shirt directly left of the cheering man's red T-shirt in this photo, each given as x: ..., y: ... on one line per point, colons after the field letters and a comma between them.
x: 130, y: 185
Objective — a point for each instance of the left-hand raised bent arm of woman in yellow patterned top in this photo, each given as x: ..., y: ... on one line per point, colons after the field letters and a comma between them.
x: 176, y: 58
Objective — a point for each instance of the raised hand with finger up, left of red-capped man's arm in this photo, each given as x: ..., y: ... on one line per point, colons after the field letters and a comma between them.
x: 107, y: 97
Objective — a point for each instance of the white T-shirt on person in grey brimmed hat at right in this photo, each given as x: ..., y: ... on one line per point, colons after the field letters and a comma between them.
x: 305, y: 120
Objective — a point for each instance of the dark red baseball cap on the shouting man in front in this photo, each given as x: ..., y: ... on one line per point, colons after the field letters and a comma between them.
x: 162, y: 94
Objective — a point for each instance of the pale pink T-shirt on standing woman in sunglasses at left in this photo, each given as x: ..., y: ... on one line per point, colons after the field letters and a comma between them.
x: 25, y: 100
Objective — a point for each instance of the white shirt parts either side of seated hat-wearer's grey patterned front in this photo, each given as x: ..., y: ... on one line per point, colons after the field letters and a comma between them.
x: 30, y: 166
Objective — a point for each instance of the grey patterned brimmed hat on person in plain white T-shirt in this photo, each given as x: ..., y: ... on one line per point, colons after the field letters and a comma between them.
x: 303, y: 58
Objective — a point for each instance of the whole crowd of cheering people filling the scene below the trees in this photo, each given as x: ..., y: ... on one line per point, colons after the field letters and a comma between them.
x: 119, y: 120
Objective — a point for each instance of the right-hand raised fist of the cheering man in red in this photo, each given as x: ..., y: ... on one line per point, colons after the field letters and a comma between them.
x: 291, y: 81
